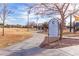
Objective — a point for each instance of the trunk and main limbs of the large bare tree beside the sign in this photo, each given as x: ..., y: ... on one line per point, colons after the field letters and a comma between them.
x: 62, y: 9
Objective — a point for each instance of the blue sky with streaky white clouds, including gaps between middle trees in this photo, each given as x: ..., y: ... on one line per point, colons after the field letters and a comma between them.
x: 19, y: 14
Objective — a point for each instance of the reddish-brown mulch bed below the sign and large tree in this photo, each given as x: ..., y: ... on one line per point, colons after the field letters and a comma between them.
x: 65, y: 42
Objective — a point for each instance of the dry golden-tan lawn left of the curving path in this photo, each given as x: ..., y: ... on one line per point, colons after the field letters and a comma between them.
x: 13, y: 35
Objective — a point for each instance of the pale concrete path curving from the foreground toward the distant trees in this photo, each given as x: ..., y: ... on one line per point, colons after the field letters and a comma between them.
x: 31, y: 47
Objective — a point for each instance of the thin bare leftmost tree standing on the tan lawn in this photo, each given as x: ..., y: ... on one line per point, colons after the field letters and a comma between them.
x: 3, y: 15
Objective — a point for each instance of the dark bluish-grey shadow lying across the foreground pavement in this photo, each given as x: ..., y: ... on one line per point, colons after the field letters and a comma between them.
x: 28, y: 52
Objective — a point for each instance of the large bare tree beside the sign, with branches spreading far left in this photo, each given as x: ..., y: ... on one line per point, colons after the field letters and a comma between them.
x: 59, y: 8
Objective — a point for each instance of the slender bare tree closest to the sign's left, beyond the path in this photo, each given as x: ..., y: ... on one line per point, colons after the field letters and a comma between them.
x: 39, y: 10
